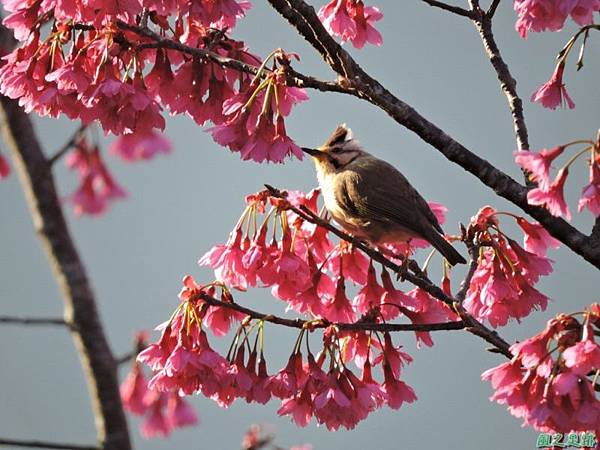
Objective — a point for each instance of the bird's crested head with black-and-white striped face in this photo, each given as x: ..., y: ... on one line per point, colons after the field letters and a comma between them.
x: 337, y: 152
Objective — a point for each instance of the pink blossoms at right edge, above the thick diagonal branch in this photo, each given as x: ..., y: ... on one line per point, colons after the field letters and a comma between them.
x: 549, y: 193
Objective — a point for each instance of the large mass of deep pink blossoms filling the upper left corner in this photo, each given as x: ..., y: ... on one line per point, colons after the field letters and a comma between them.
x: 101, y: 63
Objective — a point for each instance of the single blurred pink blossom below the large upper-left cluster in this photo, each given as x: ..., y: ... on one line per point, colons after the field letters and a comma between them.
x: 140, y: 146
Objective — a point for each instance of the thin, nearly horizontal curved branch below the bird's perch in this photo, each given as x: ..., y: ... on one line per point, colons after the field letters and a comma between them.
x: 314, y: 324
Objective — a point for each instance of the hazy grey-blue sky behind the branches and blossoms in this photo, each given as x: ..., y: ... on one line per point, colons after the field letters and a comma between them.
x: 181, y: 205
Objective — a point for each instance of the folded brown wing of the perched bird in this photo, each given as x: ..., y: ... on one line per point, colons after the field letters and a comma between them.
x: 377, y: 190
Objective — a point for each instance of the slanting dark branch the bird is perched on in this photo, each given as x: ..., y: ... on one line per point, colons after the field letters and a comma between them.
x: 472, y: 325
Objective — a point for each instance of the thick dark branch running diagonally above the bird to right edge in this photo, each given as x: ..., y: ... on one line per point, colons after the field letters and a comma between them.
x: 305, y: 20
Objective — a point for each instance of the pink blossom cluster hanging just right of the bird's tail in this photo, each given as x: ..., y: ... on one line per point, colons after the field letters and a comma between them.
x: 502, y: 287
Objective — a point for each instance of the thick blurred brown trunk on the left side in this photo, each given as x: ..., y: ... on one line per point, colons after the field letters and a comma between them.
x: 80, y: 306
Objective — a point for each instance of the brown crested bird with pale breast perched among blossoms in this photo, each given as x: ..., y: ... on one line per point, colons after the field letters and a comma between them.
x: 370, y: 199
